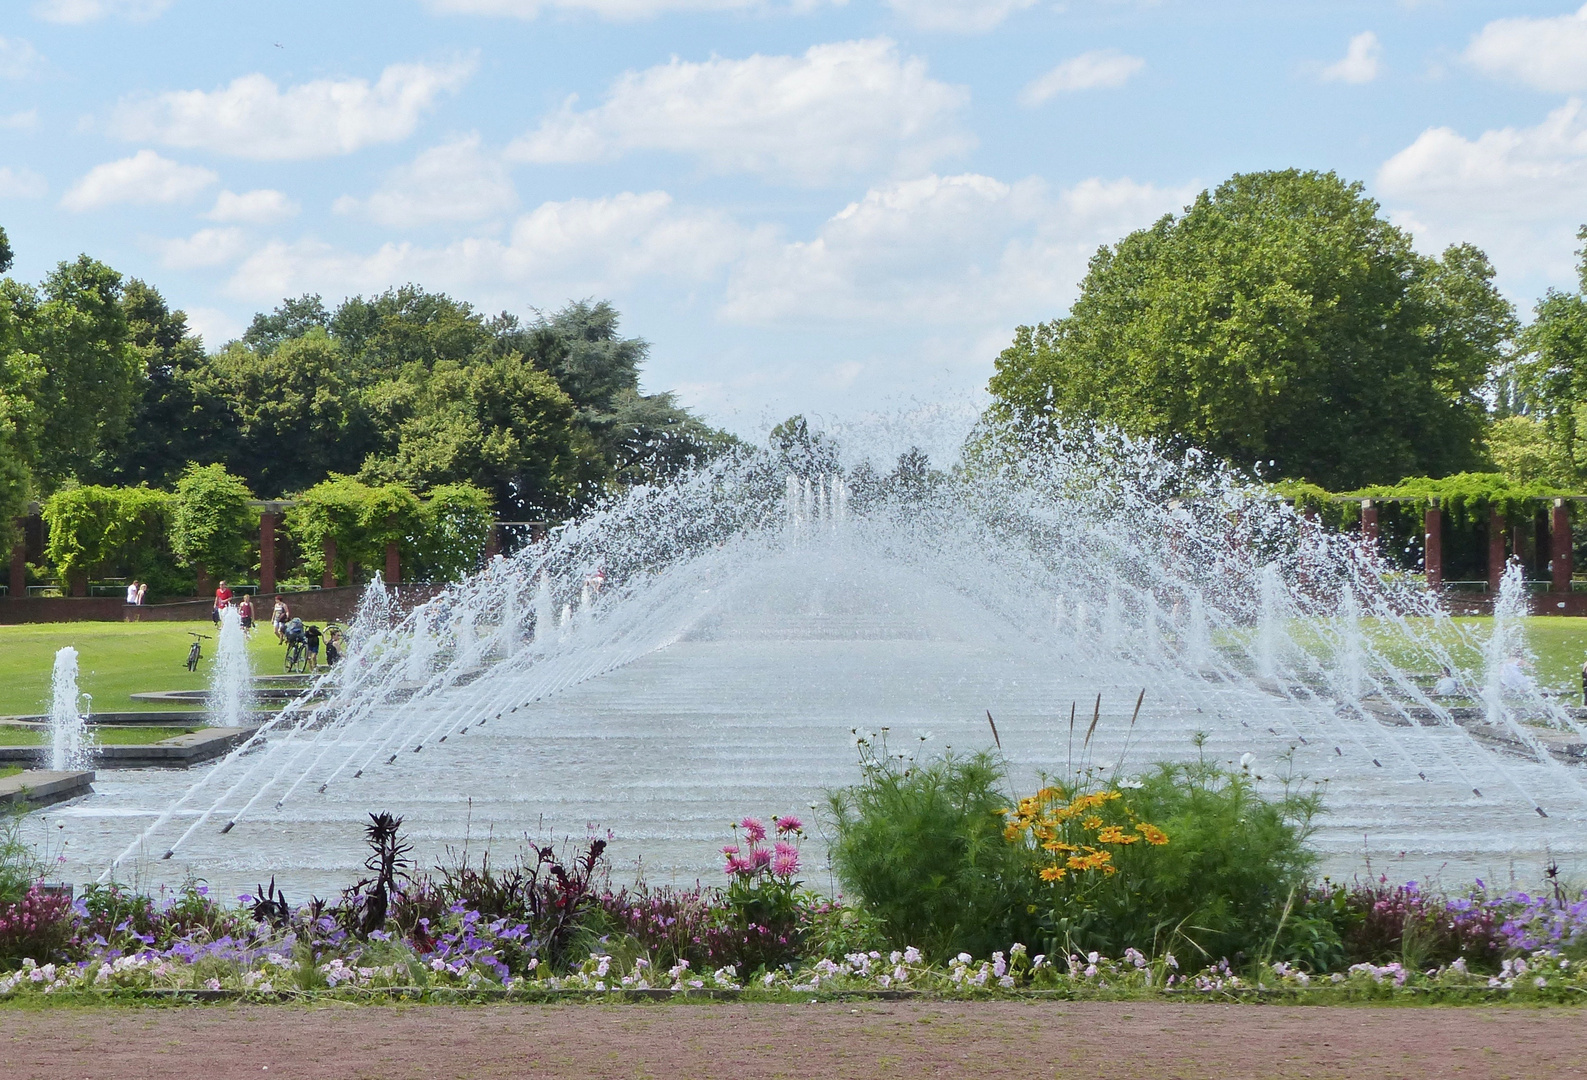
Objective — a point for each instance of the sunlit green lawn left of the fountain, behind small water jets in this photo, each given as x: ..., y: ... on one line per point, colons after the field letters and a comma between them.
x: 115, y: 661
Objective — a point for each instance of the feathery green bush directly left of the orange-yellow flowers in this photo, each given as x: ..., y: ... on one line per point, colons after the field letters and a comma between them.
x: 923, y: 848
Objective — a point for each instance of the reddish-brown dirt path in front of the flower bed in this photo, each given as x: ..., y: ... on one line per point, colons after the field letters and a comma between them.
x: 810, y: 1043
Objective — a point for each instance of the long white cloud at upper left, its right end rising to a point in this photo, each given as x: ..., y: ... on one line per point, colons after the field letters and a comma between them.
x: 255, y: 118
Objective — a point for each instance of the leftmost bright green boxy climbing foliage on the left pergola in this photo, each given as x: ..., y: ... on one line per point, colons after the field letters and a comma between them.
x: 102, y: 529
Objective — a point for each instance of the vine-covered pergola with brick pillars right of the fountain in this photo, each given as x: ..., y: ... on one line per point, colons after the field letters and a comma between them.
x: 1459, y: 529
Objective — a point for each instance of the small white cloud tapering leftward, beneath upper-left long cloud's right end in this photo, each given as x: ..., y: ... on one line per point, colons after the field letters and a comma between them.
x: 450, y: 183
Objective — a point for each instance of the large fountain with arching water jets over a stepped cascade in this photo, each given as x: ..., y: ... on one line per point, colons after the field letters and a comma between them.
x: 736, y: 627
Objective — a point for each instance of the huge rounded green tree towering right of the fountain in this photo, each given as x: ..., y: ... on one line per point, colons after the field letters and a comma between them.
x: 1278, y: 320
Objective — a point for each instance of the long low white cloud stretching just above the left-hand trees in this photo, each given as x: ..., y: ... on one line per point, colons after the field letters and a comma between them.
x: 575, y: 248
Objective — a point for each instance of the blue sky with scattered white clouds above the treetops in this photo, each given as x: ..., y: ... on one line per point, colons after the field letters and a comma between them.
x: 810, y: 207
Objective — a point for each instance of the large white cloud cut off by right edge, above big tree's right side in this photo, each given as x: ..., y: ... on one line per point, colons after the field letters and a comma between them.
x: 1516, y: 193
